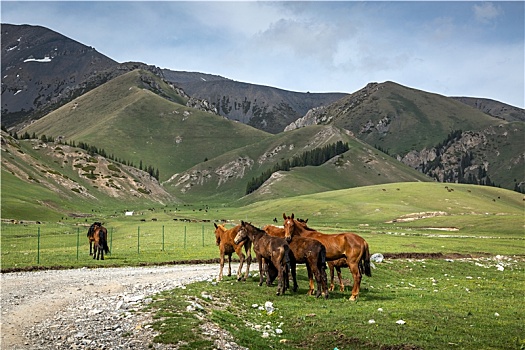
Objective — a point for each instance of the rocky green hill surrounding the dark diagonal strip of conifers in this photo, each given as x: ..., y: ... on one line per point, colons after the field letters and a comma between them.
x: 225, y: 178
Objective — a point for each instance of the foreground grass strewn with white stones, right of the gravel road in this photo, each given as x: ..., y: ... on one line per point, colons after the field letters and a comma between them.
x: 406, y: 304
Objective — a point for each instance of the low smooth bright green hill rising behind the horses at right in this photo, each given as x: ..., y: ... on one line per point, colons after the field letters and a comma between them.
x: 407, y: 208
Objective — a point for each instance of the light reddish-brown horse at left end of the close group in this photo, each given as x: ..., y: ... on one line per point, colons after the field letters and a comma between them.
x: 224, y: 239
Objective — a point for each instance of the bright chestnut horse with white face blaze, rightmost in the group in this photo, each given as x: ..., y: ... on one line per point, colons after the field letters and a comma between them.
x: 341, y: 245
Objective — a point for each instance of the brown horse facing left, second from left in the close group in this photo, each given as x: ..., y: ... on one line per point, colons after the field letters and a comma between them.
x: 274, y: 250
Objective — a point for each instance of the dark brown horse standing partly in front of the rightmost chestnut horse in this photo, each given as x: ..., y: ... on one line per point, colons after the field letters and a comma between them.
x: 305, y: 251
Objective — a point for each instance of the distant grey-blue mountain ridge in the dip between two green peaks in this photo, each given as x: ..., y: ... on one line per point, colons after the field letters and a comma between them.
x: 263, y: 107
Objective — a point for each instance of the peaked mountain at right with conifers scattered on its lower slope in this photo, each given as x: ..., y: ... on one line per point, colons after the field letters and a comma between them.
x: 443, y: 137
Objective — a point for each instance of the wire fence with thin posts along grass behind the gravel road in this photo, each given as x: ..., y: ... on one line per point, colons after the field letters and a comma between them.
x: 27, y: 245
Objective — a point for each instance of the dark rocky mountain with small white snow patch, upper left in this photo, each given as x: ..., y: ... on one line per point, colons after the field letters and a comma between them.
x: 40, y: 67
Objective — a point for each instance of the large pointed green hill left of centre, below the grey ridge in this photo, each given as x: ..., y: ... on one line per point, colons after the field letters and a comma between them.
x: 134, y: 124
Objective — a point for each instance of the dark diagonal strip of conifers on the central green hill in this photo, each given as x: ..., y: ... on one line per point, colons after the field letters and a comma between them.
x: 315, y: 157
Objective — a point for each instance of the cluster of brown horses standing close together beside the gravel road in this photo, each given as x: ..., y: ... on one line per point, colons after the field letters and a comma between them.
x: 279, y: 249
